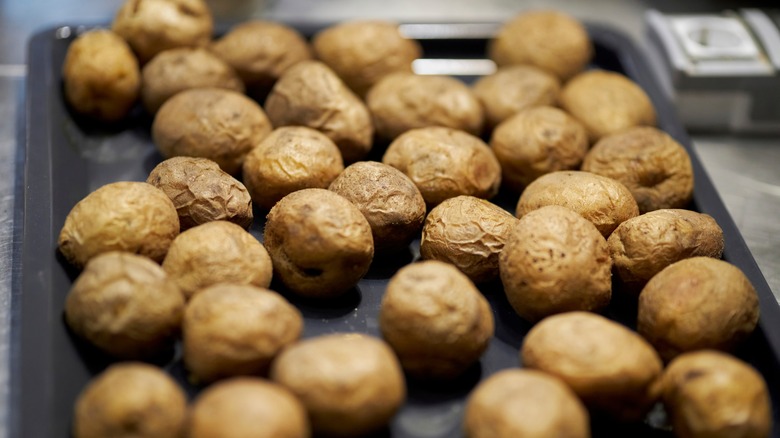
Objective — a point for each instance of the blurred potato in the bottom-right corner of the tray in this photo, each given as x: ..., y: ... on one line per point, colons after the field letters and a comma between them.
x: 715, y: 395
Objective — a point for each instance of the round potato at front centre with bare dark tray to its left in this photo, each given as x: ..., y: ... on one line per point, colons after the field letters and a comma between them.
x: 435, y: 319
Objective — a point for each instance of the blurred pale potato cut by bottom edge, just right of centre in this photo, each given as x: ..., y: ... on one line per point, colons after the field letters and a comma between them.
x: 524, y: 403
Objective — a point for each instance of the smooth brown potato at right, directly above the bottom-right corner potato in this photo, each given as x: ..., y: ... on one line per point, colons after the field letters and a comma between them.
x: 697, y: 303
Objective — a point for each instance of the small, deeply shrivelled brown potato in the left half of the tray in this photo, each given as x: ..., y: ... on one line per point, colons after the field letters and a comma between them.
x: 202, y: 192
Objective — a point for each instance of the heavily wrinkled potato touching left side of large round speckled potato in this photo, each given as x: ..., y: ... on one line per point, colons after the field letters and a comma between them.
x: 469, y: 233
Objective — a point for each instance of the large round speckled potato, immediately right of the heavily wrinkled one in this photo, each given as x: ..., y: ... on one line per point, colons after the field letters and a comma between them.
x: 555, y: 261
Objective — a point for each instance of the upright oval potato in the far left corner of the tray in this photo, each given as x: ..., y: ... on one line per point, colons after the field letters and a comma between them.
x: 100, y: 76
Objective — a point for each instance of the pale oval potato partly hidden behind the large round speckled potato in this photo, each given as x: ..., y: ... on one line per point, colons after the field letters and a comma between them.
x: 603, y: 201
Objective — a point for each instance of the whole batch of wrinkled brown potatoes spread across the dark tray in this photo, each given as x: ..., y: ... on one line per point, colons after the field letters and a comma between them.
x: 263, y: 122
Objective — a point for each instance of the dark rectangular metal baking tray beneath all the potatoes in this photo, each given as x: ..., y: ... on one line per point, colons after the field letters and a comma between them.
x: 66, y: 158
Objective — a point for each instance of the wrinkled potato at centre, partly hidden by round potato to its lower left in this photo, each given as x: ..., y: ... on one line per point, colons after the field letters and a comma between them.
x: 388, y: 199
